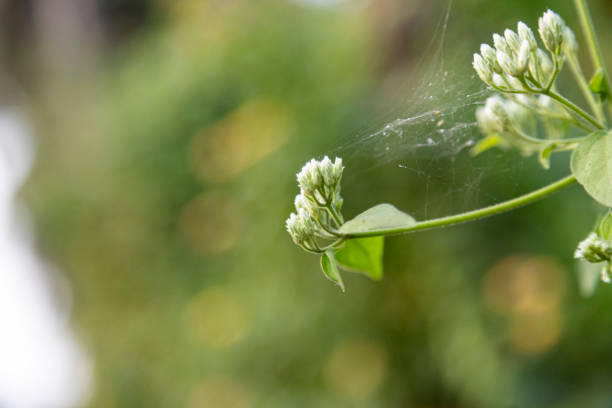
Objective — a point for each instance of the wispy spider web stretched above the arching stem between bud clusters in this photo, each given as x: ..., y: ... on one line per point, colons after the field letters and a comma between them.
x: 428, y: 134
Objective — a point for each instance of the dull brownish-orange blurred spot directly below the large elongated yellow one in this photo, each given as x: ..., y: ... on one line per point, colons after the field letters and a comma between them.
x: 211, y: 223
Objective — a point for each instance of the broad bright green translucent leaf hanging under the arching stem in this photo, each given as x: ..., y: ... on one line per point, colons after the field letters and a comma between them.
x: 362, y: 255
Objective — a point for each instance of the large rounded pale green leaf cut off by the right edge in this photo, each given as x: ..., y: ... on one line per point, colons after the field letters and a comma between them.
x: 592, y: 165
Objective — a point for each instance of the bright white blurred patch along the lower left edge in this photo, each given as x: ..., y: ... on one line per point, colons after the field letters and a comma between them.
x: 41, y: 363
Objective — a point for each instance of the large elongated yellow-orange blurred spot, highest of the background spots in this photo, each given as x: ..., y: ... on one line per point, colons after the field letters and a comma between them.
x: 236, y: 142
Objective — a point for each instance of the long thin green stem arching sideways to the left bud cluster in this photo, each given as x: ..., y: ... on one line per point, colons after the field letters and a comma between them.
x: 476, y: 214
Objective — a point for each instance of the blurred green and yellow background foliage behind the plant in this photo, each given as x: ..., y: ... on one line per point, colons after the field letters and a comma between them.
x: 168, y: 138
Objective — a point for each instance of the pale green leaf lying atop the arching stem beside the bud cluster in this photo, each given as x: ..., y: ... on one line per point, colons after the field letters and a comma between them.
x: 377, y: 218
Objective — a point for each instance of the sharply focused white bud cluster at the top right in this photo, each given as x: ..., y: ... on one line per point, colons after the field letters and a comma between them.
x: 516, y: 64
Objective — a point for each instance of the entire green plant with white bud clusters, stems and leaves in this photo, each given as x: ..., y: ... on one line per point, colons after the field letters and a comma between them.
x: 527, y: 103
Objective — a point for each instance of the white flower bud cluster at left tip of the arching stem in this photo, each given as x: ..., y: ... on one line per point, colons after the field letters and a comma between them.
x: 318, y: 205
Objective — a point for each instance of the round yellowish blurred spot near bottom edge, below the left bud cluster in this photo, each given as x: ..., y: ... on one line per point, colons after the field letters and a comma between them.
x: 356, y: 368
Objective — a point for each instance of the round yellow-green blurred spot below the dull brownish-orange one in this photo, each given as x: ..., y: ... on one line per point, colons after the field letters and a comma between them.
x: 217, y: 318
